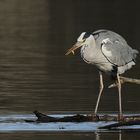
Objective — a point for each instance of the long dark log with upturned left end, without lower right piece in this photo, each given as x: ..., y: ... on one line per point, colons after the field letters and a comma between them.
x: 42, y: 118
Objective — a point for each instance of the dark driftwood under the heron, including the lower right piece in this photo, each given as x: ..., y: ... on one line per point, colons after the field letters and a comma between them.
x: 127, y: 121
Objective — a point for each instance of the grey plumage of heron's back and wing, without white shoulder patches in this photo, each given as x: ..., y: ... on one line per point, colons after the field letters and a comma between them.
x: 122, y: 53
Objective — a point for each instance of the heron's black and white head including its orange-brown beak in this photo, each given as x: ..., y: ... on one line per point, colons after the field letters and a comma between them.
x: 85, y: 39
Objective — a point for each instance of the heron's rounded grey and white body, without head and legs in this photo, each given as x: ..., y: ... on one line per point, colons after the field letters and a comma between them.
x: 111, y: 52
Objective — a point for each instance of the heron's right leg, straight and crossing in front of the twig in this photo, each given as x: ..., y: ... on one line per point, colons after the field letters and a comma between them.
x: 120, y: 116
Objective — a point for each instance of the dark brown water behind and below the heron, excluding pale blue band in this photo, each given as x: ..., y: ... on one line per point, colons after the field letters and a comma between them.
x: 36, y: 75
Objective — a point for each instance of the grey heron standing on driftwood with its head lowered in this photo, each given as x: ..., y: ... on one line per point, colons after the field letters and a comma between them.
x: 110, y: 53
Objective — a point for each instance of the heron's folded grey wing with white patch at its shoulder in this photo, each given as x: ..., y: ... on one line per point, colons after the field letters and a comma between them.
x: 117, y: 52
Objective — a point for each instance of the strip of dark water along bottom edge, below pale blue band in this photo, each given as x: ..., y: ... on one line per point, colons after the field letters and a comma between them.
x: 70, y: 136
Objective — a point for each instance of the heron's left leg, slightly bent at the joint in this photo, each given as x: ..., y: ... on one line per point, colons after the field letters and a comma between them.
x: 100, y: 92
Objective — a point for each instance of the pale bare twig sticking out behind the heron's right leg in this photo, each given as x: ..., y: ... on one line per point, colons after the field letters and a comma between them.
x: 125, y: 80
